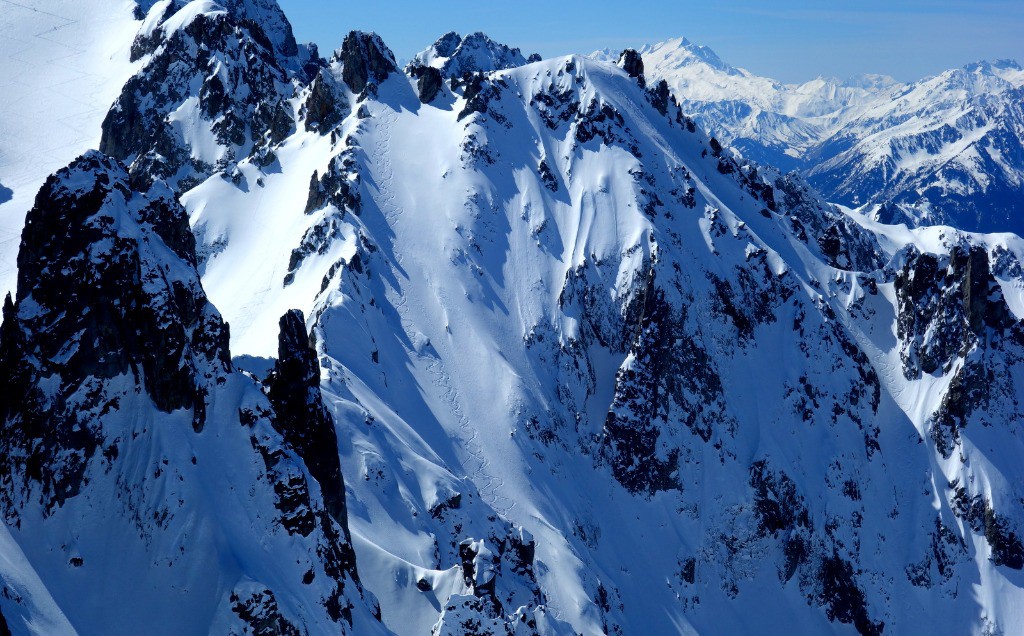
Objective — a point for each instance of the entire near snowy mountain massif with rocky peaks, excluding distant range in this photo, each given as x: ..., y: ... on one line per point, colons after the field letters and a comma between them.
x: 572, y: 367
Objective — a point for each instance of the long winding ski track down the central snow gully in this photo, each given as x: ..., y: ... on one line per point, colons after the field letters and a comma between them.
x: 487, y: 484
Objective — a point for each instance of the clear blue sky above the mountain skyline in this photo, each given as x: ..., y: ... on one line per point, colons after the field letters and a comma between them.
x: 791, y: 40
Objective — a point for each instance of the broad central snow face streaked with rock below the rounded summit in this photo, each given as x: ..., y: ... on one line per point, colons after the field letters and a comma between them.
x: 518, y: 333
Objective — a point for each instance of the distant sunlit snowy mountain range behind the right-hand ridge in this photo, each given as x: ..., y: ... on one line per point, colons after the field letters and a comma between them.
x: 946, y: 150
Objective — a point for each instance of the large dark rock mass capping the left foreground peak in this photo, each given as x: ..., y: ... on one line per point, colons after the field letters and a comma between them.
x: 97, y: 301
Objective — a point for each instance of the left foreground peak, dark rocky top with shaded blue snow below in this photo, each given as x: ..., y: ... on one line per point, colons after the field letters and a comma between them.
x: 130, y: 444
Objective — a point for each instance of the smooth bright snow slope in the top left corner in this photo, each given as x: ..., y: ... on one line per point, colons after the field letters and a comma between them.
x: 62, y: 66
